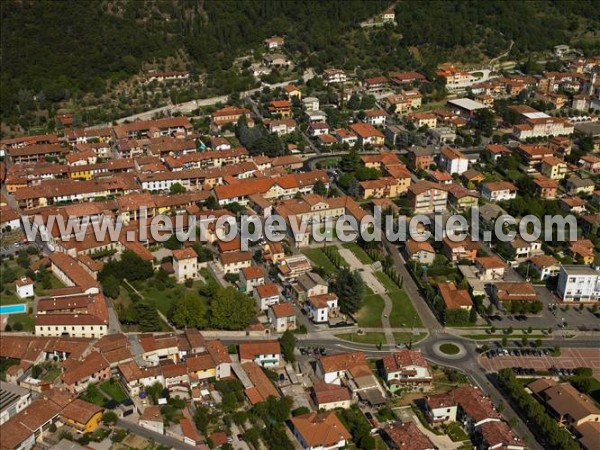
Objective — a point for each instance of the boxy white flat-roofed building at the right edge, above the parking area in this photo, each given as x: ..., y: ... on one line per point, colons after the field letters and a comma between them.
x: 578, y: 284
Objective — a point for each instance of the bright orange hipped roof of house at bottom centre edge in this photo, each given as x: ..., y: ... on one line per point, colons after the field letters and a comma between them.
x: 320, y: 430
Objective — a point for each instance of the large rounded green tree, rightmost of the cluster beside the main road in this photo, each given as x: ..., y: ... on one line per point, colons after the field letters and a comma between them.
x: 231, y: 309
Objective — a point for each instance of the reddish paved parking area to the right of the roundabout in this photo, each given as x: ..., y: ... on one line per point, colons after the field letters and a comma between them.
x: 569, y: 358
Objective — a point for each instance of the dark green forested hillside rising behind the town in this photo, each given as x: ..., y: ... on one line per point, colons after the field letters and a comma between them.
x: 54, y: 50
